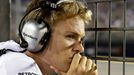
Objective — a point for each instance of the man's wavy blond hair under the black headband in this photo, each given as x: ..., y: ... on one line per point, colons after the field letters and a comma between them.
x: 66, y: 9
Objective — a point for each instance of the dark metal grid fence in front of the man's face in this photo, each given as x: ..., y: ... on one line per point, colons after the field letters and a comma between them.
x: 109, y: 29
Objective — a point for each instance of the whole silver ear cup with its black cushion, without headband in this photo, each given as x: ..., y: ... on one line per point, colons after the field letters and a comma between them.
x: 34, y: 34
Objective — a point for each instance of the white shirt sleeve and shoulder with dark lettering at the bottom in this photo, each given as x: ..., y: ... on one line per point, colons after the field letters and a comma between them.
x: 13, y: 63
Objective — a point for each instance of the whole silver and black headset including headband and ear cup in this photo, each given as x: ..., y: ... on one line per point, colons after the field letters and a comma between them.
x: 35, y: 33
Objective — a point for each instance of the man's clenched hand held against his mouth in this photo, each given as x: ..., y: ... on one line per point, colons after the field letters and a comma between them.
x: 81, y: 66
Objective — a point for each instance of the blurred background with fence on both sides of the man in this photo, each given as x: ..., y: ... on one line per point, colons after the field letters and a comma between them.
x: 109, y: 37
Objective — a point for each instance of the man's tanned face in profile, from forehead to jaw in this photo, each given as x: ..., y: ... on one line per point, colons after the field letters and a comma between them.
x: 66, y: 40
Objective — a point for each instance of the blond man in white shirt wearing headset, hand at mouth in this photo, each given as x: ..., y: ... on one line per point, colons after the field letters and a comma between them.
x: 61, y: 53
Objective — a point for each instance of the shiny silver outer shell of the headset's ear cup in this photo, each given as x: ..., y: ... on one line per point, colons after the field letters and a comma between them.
x: 32, y: 33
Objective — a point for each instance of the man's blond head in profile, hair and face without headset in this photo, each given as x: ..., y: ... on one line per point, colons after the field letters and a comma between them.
x: 67, y: 23
